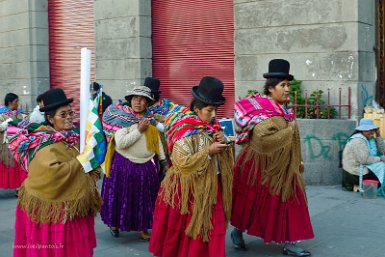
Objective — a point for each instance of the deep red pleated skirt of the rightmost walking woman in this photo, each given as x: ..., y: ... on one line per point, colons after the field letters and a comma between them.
x: 262, y: 214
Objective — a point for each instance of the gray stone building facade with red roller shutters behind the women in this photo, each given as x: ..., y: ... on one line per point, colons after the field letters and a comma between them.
x: 330, y: 45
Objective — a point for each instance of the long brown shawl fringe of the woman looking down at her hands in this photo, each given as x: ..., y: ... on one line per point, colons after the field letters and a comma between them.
x: 178, y: 189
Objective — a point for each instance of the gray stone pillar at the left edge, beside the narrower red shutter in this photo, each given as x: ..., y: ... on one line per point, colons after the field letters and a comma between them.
x: 24, y: 58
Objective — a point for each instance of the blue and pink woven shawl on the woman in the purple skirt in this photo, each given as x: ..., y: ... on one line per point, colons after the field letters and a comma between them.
x: 118, y: 116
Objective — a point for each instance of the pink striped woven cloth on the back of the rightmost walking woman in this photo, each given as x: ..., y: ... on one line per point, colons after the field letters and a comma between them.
x: 252, y: 110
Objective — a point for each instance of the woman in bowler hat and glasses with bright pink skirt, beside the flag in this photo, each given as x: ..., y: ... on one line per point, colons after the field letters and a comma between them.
x: 58, y: 201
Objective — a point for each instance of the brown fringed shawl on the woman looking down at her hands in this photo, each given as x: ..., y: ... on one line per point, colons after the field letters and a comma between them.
x: 192, y: 182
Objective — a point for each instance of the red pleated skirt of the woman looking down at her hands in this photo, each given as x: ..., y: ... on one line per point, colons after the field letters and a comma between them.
x: 168, y: 238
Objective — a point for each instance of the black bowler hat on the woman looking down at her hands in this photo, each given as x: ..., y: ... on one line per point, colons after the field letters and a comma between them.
x: 209, y: 91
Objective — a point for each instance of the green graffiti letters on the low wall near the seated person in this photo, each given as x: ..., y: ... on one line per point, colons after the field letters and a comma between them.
x: 320, y: 149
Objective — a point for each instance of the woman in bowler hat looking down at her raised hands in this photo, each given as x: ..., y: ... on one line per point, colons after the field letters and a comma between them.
x: 194, y: 203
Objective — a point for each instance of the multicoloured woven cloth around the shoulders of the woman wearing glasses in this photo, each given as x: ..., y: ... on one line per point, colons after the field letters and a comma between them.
x: 28, y: 141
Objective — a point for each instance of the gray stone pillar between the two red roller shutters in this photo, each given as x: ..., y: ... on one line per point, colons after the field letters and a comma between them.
x: 122, y: 44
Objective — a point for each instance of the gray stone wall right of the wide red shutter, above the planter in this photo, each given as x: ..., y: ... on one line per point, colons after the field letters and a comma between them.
x: 328, y: 43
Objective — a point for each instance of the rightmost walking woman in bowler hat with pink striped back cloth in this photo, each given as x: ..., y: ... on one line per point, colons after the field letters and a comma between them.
x: 269, y: 199
